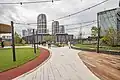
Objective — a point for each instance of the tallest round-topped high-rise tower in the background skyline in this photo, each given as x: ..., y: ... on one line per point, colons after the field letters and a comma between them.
x: 42, y: 23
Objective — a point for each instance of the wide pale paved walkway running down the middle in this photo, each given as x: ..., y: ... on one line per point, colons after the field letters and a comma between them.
x: 64, y: 64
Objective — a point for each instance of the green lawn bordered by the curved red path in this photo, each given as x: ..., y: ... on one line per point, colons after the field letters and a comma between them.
x: 23, y: 55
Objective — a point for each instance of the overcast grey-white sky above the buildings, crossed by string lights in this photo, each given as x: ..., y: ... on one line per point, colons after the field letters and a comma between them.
x: 27, y: 13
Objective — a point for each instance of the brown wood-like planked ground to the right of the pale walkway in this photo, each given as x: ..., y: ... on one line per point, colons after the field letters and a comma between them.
x: 104, y: 66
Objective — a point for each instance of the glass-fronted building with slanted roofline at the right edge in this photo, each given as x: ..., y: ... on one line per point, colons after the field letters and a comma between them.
x: 110, y: 19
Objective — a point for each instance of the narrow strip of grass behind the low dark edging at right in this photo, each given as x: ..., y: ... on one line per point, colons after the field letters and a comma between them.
x: 83, y: 46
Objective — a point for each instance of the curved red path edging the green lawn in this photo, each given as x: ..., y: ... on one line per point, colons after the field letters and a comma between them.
x: 13, y: 73
